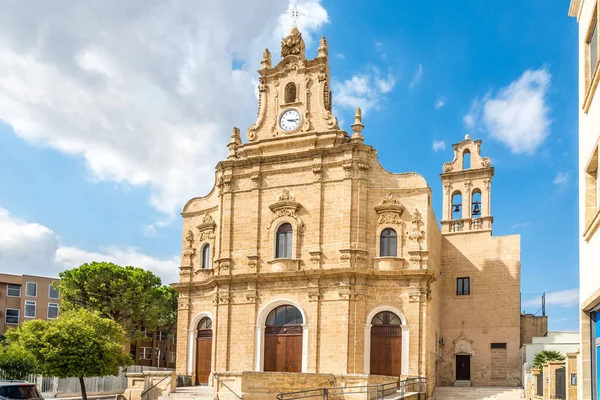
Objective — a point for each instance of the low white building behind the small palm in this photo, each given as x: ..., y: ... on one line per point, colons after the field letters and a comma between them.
x: 564, y: 342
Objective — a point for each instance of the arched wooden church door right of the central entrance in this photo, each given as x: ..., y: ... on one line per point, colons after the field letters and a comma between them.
x: 386, y: 344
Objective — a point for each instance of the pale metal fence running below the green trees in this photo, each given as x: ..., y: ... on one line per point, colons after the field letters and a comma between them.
x: 52, y: 387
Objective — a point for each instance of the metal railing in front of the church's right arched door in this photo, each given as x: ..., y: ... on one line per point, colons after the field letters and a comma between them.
x: 403, y: 387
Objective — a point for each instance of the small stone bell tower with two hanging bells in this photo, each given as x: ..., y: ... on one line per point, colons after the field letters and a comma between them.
x: 467, y: 183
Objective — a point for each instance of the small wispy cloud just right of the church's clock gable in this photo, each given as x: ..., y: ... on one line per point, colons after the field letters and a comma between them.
x: 363, y: 90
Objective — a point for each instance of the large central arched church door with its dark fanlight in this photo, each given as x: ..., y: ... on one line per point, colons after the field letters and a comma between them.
x: 283, y: 340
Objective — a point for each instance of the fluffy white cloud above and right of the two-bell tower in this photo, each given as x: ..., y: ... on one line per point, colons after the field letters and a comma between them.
x: 518, y: 114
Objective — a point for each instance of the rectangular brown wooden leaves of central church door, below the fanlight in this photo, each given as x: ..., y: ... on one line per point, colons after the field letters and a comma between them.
x: 283, y: 352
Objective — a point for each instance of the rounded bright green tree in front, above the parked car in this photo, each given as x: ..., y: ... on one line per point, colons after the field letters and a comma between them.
x: 77, y: 344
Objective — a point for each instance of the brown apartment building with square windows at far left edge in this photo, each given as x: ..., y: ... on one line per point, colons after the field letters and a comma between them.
x: 24, y: 297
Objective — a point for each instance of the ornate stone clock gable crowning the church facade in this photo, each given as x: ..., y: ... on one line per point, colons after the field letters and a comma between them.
x: 294, y: 101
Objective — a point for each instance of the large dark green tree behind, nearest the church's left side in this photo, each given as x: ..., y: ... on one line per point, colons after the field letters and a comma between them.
x: 132, y: 297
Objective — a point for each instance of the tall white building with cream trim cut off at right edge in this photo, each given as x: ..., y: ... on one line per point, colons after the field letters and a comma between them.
x: 587, y: 13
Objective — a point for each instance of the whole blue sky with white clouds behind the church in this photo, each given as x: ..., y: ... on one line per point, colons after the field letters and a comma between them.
x: 113, y: 114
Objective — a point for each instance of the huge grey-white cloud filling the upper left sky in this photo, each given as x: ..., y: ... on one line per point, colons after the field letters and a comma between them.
x: 146, y: 93
